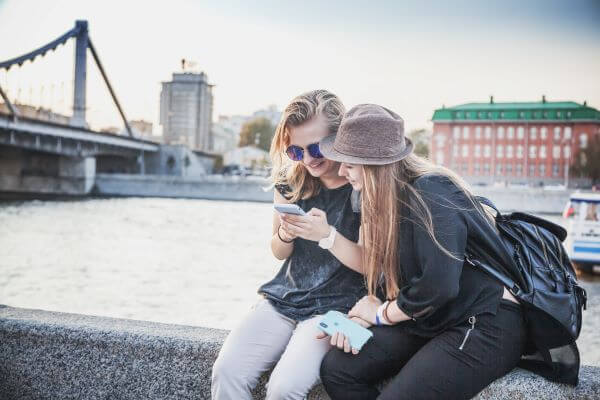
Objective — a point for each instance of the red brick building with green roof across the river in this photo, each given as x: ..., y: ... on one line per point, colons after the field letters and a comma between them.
x: 533, y: 143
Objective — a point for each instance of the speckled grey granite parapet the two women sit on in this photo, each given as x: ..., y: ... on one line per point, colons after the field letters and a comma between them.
x: 51, y: 355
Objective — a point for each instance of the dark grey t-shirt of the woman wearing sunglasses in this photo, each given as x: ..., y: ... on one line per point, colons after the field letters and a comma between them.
x: 312, y: 281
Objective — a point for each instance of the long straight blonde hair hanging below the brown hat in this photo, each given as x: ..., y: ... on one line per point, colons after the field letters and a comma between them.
x: 389, y: 187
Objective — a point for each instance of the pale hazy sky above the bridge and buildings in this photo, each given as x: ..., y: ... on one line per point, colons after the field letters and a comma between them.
x: 410, y: 56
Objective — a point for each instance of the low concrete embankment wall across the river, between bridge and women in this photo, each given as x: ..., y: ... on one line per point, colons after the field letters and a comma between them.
x: 215, y: 187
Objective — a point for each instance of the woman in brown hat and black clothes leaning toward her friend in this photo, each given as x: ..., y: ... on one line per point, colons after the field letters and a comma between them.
x: 445, y: 329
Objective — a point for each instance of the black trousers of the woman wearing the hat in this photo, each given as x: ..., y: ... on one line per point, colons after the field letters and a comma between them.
x: 453, y: 365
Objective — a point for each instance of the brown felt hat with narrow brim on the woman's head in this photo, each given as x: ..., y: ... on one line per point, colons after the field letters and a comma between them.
x: 368, y: 134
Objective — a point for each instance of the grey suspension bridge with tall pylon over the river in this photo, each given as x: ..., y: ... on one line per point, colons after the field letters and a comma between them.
x: 50, y: 157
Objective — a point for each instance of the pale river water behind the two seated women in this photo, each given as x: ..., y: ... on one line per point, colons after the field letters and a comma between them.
x: 181, y: 261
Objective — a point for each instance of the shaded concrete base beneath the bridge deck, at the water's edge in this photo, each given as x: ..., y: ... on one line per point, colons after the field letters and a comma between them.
x: 22, y: 171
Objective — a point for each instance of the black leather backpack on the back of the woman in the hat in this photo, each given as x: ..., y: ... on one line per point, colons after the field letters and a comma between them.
x: 542, y: 278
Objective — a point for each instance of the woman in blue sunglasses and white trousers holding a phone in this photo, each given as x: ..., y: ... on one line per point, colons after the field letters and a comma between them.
x: 280, y: 331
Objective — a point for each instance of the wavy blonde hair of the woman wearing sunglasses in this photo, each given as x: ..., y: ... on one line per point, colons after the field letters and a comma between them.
x: 301, y: 109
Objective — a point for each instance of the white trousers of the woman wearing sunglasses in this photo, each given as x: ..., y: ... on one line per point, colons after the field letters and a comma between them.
x: 265, y: 338
